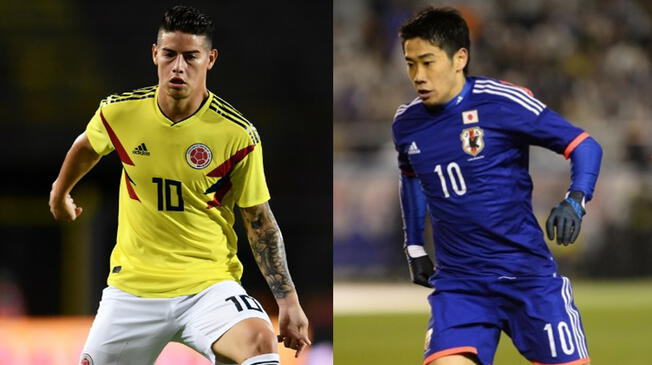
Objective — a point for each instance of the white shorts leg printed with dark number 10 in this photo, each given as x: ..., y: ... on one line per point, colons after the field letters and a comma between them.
x: 207, y: 316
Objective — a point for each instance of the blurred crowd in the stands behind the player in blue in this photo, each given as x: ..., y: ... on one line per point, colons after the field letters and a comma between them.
x: 589, y: 60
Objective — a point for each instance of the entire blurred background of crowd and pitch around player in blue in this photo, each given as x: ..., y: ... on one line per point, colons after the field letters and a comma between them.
x: 589, y: 60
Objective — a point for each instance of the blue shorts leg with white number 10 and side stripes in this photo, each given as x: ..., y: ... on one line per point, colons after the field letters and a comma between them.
x: 543, y: 322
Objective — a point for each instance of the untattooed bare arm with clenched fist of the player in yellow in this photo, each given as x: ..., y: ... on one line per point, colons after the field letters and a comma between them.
x: 79, y: 160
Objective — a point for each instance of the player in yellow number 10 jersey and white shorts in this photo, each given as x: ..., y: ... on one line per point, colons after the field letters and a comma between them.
x: 188, y: 158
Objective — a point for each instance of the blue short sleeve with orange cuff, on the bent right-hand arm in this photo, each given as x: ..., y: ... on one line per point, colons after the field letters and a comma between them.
x: 547, y: 129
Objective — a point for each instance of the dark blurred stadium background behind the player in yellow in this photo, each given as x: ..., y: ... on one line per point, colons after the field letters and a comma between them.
x: 59, y: 59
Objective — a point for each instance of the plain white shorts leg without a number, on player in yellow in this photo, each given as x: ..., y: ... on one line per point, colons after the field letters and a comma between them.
x: 127, y: 330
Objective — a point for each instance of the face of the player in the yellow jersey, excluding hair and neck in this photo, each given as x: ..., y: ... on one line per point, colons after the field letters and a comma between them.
x: 183, y: 61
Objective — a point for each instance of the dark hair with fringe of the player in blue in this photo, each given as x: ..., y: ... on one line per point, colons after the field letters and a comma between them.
x: 442, y: 27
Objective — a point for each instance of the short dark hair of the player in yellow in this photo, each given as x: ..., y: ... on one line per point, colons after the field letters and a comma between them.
x: 188, y: 20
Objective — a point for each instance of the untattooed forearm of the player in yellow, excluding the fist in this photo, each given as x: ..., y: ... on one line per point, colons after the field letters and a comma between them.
x: 79, y: 160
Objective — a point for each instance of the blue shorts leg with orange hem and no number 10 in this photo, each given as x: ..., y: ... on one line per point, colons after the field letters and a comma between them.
x: 463, y: 321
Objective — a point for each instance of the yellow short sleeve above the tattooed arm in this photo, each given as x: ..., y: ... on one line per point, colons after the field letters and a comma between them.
x: 249, y: 179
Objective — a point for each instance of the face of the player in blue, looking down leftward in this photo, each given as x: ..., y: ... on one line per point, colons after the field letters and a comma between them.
x: 436, y: 77
